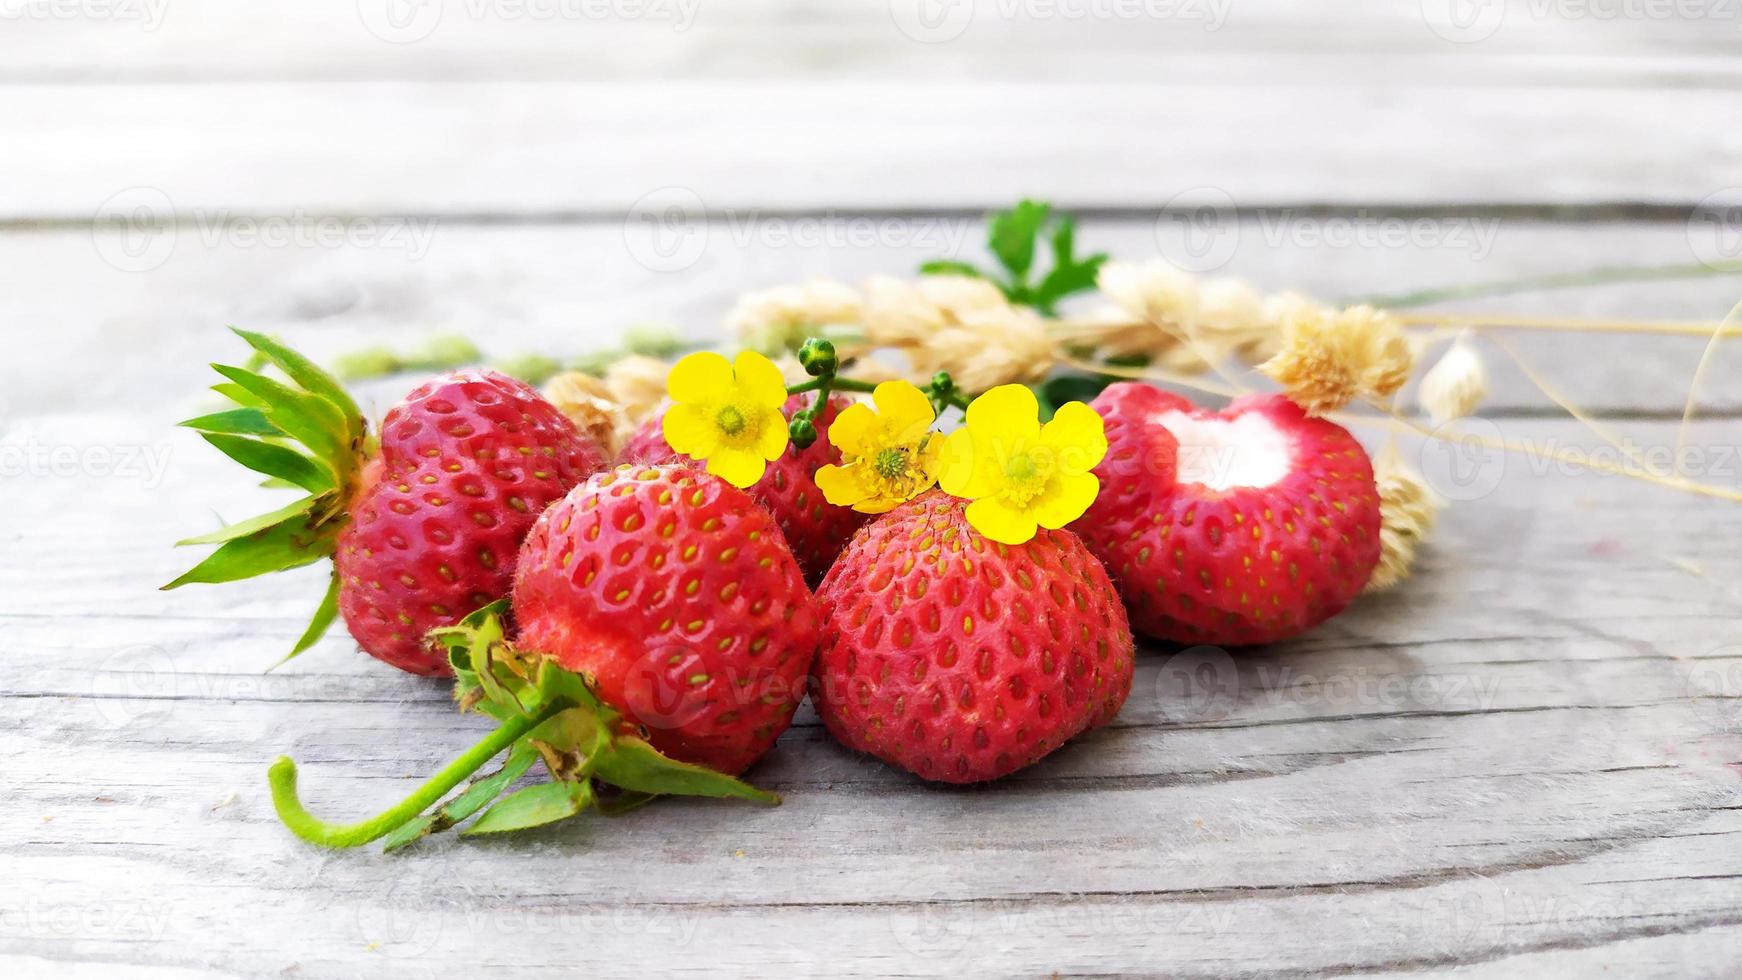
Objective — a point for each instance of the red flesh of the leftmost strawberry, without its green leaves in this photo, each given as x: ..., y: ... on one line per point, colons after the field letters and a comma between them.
x: 468, y: 464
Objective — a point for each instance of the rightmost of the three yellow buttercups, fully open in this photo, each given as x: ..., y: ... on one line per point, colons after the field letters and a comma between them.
x: 1020, y: 474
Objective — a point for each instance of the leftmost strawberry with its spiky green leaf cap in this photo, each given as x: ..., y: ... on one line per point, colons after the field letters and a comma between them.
x: 424, y: 528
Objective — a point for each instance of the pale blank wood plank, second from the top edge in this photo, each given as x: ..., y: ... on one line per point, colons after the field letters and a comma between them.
x: 530, y: 149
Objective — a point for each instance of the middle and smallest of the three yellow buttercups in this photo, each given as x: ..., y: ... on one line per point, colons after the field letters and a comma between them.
x: 888, y: 455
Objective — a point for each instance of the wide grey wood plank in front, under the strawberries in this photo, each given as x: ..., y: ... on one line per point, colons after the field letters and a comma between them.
x: 1525, y: 760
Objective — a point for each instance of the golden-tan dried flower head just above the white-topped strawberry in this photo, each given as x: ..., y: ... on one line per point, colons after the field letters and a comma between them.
x: 1328, y: 359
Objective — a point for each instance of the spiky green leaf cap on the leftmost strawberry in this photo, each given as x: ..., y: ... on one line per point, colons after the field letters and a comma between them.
x: 306, y: 434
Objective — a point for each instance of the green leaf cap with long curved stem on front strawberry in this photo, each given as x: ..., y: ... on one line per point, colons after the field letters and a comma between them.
x: 546, y: 715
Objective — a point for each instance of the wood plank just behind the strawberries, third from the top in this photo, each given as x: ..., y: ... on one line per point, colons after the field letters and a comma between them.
x: 98, y: 333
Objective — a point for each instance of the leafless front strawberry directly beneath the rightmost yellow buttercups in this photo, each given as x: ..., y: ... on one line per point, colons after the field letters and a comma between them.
x: 959, y: 659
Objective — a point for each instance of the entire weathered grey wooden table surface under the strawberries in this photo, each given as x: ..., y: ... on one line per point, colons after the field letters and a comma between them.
x: 1525, y: 762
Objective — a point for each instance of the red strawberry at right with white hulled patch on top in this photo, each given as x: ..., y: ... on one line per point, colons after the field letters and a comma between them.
x: 1243, y: 527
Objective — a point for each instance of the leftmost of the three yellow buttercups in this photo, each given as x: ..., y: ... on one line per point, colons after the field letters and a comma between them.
x: 727, y: 413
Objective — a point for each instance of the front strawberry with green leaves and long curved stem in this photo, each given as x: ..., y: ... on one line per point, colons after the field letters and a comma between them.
x: 666, y: 634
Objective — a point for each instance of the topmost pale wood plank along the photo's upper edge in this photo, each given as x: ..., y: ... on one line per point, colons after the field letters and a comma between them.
x: 1381, y: 41
